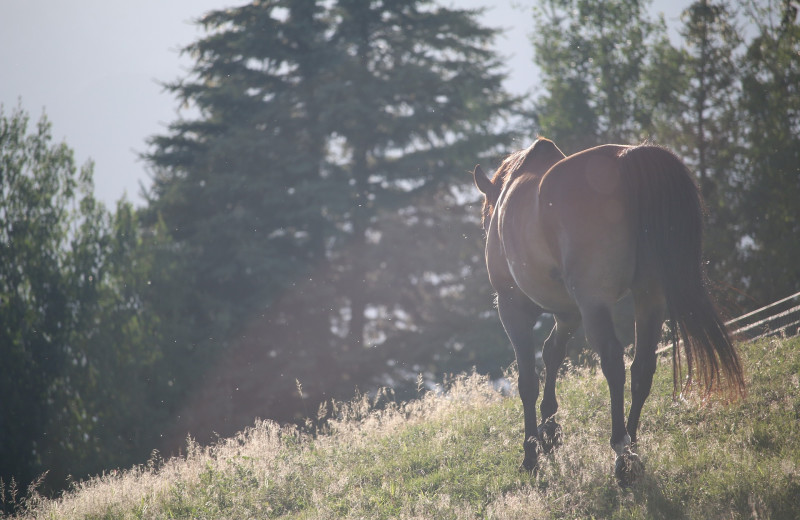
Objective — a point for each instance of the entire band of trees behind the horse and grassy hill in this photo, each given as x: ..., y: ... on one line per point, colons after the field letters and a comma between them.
x: 312, y: 221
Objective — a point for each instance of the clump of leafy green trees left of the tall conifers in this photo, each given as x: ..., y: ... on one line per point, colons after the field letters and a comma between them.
x: 80, y: 352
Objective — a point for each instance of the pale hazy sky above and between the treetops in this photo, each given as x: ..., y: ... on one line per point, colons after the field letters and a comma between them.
x: 95, y: 68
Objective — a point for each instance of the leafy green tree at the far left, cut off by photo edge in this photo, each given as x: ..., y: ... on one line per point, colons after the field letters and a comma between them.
x: 39, y: 183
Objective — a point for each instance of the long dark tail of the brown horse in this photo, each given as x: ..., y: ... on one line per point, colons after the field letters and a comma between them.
x: 670, y: 238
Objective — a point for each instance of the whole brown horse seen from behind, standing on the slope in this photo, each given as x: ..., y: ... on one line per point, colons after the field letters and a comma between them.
x: 571, y: 236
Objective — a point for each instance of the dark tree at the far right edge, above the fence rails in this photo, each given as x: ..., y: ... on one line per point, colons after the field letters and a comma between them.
x: 770, y: 182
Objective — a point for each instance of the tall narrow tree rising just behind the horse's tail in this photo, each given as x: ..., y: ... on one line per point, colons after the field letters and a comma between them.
x: 694, y: 92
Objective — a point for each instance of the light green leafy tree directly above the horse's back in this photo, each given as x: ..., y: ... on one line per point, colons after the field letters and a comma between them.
x: 592, y: 57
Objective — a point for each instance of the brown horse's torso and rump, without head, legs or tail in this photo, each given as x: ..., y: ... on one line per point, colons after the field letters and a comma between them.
x: 546, y: 222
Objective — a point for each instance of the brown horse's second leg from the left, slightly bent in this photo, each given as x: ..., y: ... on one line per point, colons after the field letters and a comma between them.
x: 554, y: 352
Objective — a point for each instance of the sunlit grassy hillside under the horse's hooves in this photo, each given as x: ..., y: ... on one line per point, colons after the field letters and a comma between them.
x: 454, y: 454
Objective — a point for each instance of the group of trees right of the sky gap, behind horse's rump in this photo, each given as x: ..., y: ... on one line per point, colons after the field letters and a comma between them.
x: 697, y: 98
